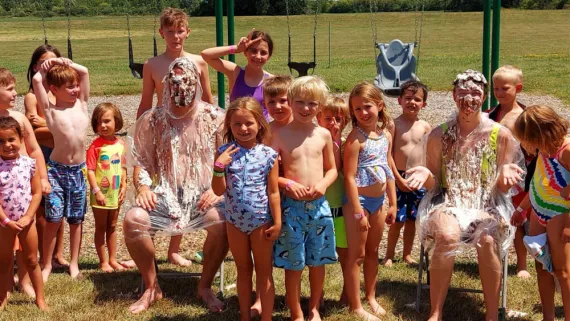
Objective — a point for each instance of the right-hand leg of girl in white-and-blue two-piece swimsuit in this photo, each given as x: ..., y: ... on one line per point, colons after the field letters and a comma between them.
x: 371, y: 259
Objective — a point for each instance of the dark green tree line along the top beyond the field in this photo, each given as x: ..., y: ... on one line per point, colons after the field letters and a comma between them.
x: 50, y: 8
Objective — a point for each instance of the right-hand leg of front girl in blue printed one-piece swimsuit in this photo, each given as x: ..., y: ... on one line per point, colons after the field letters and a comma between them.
x: 262, y: 248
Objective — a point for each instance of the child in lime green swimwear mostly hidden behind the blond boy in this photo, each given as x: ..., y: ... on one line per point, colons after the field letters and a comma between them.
x: 334, y: 116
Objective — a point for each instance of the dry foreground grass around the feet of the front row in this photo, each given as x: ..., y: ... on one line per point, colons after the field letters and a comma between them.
x: 106, y: 297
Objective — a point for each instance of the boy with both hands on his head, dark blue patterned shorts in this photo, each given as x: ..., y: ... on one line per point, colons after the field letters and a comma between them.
x: 67, y: 120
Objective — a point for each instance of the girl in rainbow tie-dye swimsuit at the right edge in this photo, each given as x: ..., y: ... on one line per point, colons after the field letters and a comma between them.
x: 540, y: 127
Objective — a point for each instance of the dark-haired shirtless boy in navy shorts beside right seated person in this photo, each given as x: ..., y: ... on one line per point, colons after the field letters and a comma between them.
x: 407, y: 131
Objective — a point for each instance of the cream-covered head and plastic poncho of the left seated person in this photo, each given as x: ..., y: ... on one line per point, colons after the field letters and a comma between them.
x: 174, y: 145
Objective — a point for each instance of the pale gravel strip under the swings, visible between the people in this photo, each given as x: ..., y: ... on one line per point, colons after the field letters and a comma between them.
x: 440, y: 106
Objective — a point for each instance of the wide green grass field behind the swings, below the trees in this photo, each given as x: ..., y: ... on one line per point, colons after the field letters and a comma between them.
x: 451, y: 42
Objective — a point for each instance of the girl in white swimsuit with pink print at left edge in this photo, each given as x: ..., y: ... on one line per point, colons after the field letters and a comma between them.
x: 20, y: 195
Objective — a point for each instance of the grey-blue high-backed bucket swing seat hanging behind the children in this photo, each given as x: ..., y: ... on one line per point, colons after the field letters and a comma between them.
x: 395, y: 65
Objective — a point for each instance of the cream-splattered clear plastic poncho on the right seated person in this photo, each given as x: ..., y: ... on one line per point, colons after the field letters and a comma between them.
x: 466, y: 171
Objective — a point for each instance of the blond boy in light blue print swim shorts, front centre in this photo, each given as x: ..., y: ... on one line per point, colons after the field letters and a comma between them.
x: 307, y: 231
